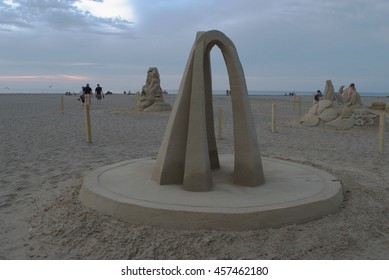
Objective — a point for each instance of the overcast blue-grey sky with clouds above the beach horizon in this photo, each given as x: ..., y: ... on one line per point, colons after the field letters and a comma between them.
x: 282, y: 44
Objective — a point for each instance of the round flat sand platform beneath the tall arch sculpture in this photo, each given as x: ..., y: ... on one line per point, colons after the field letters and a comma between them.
x: 293, y: 193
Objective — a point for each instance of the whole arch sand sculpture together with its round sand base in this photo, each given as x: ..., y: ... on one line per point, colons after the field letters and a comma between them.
x: 179, y: 196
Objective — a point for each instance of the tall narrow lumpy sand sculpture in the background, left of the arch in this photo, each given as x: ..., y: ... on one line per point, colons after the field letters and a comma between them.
x: 151, y: 97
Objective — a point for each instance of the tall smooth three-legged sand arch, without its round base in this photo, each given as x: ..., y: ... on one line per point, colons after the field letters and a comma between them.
x: 188, y: 152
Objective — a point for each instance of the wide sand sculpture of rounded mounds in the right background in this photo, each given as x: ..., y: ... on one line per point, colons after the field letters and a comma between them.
x: 341, y: 110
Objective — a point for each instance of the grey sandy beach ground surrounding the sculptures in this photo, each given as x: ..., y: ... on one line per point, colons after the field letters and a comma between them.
x: 44, y: 158
